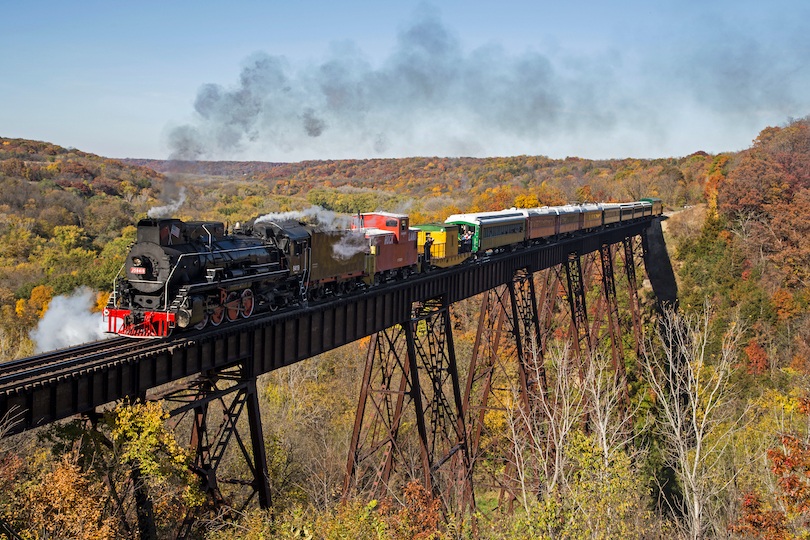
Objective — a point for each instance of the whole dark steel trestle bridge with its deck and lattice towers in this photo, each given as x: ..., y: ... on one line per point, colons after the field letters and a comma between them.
x: 411, y: 362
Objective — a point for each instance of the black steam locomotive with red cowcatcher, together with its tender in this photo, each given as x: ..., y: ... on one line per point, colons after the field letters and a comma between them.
x: 191, y: 274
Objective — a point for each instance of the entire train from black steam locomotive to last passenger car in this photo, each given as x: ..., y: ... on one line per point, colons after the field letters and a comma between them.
x: 188, y: 275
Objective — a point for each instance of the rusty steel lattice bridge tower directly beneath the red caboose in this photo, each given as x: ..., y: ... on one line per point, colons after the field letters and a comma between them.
x: 411, y: 381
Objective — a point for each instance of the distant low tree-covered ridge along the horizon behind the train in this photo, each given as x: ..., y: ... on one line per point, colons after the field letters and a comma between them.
x: 500, y: 181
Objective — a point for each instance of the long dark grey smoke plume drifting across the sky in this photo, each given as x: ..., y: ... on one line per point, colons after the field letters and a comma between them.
x: 434, y: 96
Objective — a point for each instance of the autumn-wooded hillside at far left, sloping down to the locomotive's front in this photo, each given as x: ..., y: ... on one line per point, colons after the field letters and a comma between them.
x: 66, y: 219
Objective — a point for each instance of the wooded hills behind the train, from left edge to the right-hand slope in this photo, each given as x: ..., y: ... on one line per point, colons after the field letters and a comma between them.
x: 66, y: 214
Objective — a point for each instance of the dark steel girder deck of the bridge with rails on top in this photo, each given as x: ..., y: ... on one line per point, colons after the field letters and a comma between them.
x: 61, y: 384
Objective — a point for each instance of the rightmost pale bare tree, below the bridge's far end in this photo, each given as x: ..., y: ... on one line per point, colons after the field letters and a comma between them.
x: 694, y: 401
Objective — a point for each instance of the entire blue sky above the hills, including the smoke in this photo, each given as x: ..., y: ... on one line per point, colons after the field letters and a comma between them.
x: 286, y: 81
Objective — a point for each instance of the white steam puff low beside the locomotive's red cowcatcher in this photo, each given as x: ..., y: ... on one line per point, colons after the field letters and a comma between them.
x: 69, y: 322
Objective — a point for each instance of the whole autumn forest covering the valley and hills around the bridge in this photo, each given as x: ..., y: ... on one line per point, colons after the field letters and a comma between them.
x: 716, y: 448
